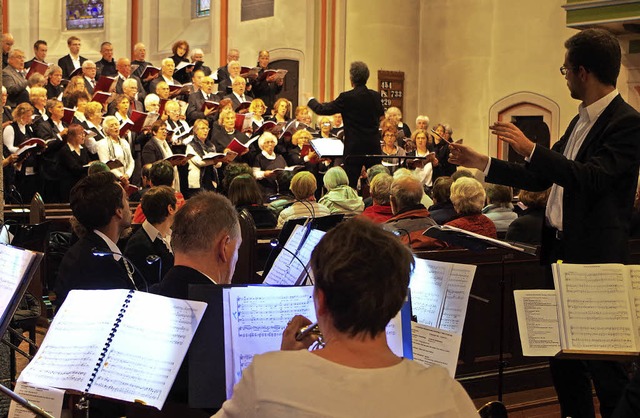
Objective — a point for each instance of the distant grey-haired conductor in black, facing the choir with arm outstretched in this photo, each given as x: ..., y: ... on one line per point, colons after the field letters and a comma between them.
x: 361, y: 110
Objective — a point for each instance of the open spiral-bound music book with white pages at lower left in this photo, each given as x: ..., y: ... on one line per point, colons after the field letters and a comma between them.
x: 118, y: 344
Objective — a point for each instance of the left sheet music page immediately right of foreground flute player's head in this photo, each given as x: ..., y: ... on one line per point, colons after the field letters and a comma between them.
x: 428, y: 283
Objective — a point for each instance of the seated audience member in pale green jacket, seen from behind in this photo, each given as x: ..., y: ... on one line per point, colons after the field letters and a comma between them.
x: 340, y: 197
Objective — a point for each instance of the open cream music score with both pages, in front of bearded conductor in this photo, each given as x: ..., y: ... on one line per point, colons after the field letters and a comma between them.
x: 594, y: 311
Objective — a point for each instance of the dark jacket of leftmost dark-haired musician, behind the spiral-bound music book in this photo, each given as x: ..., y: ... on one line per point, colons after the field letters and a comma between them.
x: 80, y: 269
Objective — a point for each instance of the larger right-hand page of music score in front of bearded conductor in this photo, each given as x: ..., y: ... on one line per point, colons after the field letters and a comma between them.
x: 595, y: 312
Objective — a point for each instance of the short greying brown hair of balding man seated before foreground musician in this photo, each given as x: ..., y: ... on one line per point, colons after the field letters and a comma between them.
x: 201, y: 219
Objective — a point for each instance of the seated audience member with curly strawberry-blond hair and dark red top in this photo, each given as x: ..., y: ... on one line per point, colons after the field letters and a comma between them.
x: 467, y: 196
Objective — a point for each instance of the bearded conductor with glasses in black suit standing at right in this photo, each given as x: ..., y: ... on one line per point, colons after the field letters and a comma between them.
x: 592, y: 171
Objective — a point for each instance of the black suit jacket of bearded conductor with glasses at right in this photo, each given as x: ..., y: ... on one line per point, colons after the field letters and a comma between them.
x: 599, y: 185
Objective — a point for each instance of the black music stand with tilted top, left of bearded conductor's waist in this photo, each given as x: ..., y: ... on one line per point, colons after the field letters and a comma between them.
x: 475, y: 242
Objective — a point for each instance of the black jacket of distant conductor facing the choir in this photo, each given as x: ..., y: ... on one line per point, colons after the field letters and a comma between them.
x: 361, y: 109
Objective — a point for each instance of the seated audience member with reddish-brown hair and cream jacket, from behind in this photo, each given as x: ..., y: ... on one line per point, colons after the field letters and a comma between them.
x: 303, y: 186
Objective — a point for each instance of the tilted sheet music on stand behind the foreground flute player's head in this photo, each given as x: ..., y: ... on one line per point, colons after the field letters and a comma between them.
x: 286, y: 270
